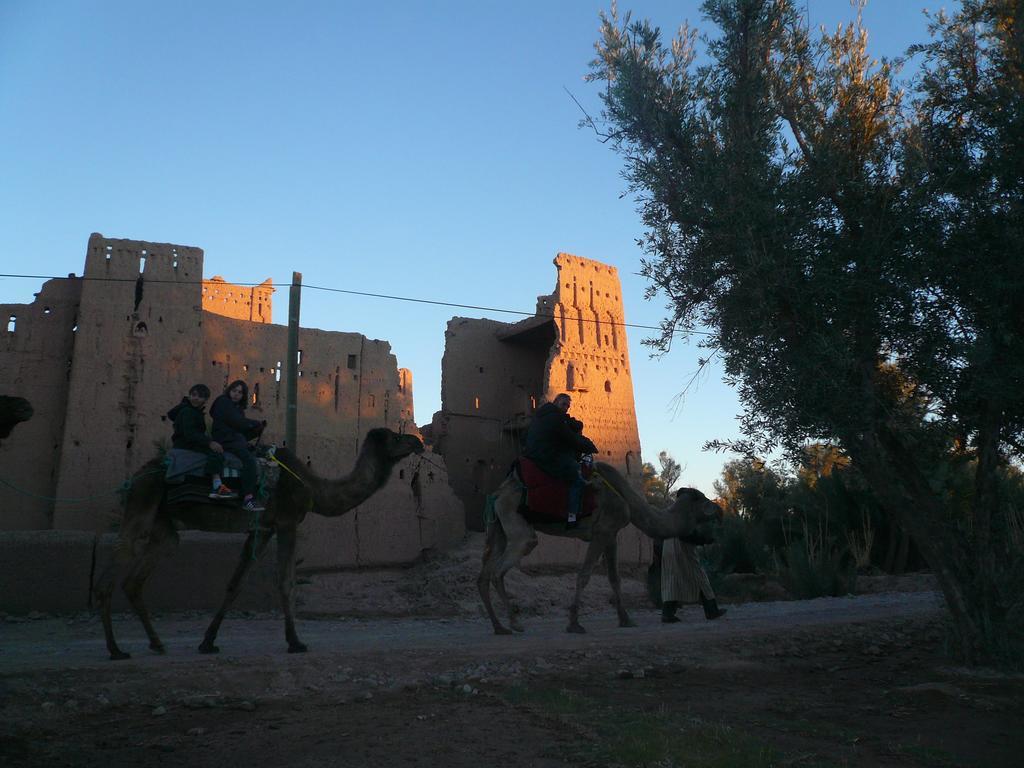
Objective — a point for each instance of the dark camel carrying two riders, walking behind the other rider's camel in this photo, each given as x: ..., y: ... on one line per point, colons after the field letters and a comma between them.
x: 150, y: 527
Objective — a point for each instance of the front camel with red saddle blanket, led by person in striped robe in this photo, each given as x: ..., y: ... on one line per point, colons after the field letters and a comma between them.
x: 511, y: 537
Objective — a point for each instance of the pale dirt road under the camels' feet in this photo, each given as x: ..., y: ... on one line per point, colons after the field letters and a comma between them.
x: 78, y: 643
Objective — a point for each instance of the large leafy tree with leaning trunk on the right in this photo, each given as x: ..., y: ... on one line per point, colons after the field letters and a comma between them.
x: 856, y: 255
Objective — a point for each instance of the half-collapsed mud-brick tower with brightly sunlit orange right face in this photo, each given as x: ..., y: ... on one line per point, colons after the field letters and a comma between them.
x: 495, y: 375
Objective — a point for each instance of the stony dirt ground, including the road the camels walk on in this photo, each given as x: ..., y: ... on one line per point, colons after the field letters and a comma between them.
x: 404, y: 671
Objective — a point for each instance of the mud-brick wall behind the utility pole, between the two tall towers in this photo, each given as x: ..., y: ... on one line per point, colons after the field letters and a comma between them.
x: 348, y: 386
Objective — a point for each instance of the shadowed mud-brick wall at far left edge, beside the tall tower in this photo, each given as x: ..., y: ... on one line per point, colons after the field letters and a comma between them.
x: 36, y: 348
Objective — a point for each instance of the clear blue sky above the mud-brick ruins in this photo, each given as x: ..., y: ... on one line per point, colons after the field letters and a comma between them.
x: 421, y: 150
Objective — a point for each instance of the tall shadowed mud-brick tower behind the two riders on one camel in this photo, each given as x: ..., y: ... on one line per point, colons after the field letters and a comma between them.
x: 137, y: 353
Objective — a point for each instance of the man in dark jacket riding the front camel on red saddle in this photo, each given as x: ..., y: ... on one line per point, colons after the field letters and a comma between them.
x: 556, y: 443
